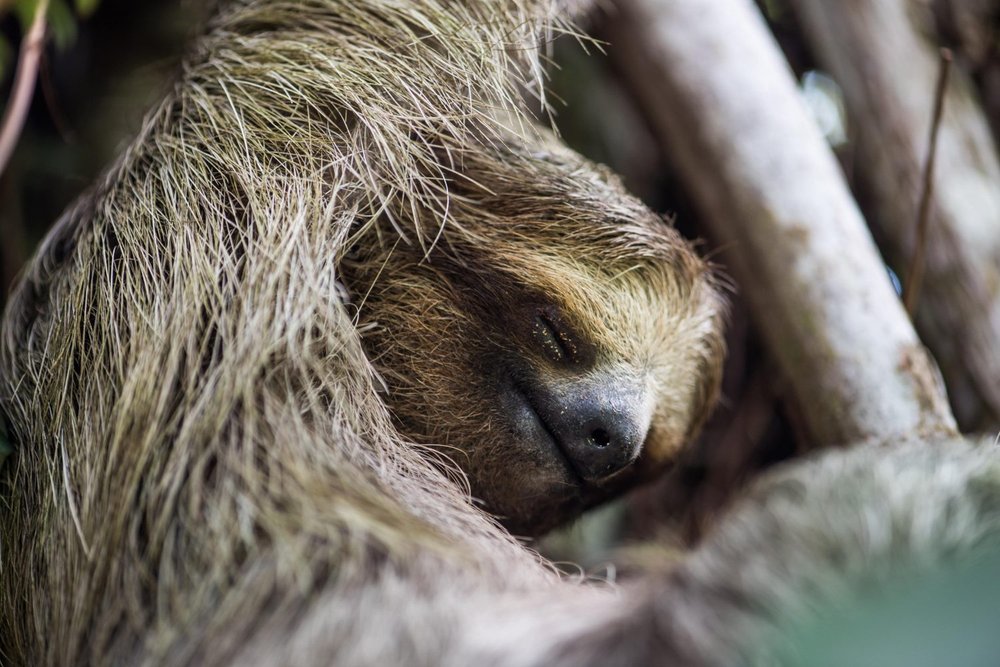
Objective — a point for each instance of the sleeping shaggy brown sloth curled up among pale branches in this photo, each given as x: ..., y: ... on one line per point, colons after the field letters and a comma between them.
x: 340, y: 311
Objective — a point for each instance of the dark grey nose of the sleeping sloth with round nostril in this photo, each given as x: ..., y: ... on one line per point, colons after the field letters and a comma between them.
x: 599, y: 423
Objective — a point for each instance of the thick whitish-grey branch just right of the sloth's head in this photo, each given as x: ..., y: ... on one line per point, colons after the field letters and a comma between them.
x: 728, y: 111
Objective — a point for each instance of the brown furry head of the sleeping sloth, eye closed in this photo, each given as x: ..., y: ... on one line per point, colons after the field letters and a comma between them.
x: 553, y: 347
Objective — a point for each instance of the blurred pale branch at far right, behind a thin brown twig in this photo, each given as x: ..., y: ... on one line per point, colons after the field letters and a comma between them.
x: 879, y: 53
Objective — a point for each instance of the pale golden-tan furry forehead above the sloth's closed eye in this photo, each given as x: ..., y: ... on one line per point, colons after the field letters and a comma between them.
x: 634, y: 285
